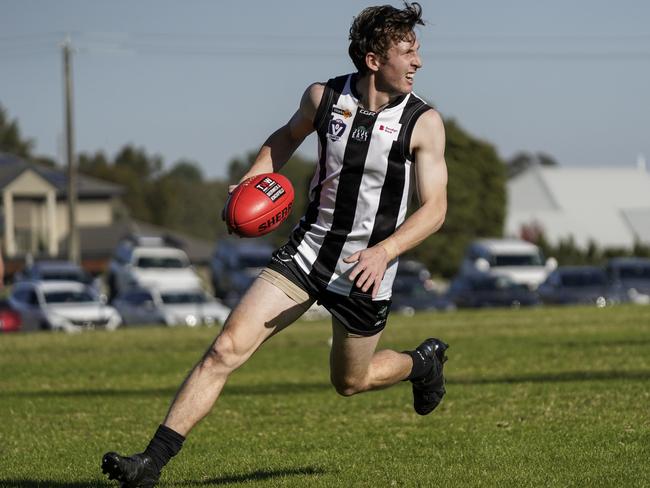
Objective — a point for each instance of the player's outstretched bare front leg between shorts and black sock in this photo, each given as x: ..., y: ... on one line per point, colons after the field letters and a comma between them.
x: 263, y: 311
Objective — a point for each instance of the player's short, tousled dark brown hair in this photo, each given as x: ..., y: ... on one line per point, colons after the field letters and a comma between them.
x: 376, y: 29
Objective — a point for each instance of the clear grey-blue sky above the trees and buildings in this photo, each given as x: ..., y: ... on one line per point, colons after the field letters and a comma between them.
x: 208, y: 81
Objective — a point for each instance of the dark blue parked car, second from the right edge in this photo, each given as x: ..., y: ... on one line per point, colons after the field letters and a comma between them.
x: 576, y: 285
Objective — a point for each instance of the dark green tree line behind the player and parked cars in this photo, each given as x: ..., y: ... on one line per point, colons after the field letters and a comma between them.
x: 181, y: 198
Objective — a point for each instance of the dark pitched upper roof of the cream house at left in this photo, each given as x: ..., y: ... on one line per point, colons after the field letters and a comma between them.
x: 11, y: 167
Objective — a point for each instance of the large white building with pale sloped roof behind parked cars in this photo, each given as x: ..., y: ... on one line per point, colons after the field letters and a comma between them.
x: 609, y: 206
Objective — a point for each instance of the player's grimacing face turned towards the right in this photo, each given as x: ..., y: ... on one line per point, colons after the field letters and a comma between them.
x: 397, y: 72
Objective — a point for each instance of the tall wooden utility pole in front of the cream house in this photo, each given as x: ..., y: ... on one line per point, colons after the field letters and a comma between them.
x: 73, y: 236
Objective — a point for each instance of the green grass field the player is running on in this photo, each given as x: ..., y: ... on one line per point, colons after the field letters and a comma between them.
x: 545, y: 397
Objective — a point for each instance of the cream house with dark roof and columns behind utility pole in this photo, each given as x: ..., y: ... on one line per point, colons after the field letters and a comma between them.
x: 34, y: 218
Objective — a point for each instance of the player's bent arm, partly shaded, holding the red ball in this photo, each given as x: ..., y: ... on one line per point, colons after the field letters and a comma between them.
x: 281, y: 145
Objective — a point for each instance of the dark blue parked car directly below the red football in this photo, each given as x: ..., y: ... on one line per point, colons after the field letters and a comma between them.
x: 235, y: 265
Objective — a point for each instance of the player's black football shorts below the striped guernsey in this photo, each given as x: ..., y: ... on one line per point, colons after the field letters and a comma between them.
x: 358, y: 313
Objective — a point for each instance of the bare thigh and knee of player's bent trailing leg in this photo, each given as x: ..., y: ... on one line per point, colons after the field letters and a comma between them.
x: 351, y: 354
